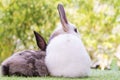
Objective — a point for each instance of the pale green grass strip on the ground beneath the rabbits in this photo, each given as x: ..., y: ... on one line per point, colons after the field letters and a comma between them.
x: 95, y: 75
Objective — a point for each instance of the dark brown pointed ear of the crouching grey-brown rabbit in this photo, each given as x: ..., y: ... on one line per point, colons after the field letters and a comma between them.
x: 40, y: 41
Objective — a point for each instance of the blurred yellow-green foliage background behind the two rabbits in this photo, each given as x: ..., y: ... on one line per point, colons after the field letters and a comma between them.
x: 98, y: 22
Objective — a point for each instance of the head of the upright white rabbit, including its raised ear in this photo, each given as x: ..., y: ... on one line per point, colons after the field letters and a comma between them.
x: 65, y: 26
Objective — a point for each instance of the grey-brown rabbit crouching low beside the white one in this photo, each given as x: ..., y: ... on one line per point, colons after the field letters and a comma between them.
x: 28, y: 62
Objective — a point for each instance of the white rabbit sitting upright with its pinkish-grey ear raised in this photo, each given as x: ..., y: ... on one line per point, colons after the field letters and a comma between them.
x: 66, y: 55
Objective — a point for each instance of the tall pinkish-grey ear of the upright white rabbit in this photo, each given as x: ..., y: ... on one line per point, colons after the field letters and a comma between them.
x: 63, y: 18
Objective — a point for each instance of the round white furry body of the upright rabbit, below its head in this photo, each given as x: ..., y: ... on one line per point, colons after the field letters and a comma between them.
x: 66, y: 56
